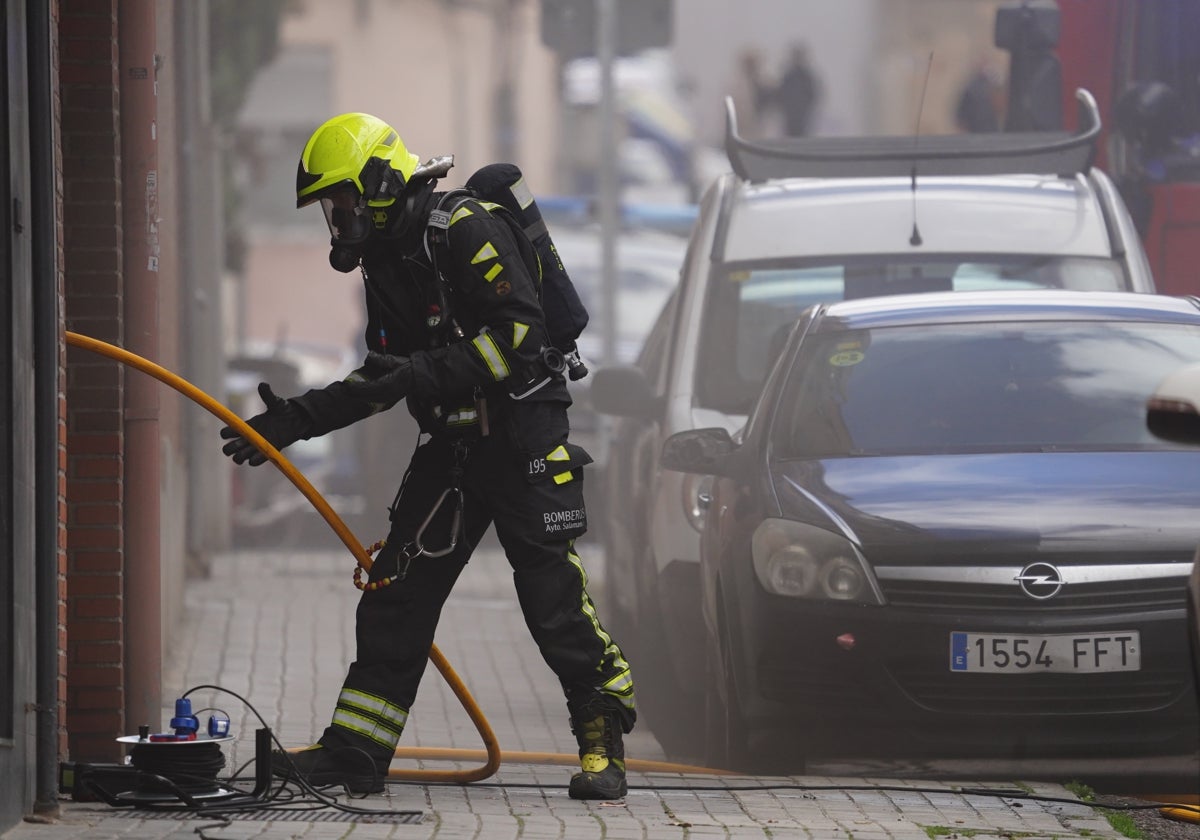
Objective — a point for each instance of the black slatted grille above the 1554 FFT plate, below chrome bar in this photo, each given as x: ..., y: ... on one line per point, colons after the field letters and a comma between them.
x: 1153, y: 595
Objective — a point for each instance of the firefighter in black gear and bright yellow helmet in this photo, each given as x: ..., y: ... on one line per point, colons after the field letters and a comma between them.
x: 454, y: 329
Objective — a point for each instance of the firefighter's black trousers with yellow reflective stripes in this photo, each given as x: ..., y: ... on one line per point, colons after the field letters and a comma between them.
x: 536, y: 501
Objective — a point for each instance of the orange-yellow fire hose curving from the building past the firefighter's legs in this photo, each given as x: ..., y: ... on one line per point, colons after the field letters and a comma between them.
x: 491, y: 755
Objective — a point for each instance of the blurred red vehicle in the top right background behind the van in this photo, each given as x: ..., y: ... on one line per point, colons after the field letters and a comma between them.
x: 1142, y: 62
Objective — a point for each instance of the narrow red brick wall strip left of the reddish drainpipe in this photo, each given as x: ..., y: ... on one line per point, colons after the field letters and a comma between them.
x: 95, y: 386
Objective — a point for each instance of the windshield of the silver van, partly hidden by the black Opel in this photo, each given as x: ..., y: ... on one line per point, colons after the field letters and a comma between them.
x: 752, y: 307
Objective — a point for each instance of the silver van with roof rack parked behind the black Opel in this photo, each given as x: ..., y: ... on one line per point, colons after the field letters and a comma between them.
x: 802, y: 223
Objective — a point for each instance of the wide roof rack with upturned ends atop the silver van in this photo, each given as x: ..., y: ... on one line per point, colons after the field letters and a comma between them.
x: 1059, y: 153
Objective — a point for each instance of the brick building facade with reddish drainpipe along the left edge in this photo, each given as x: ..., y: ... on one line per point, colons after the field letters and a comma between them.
x: 97, y: 481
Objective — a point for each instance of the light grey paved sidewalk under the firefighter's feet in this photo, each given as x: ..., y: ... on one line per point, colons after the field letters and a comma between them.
x: 278, y: 631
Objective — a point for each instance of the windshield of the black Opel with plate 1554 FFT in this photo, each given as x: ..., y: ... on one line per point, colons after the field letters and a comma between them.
x: 983, y: 387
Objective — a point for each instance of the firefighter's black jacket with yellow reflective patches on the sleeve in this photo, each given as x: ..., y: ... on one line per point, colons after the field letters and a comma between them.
x: 473, y: 339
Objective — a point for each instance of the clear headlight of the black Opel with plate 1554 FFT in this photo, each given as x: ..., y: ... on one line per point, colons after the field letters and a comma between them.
x: 802, y: 561
